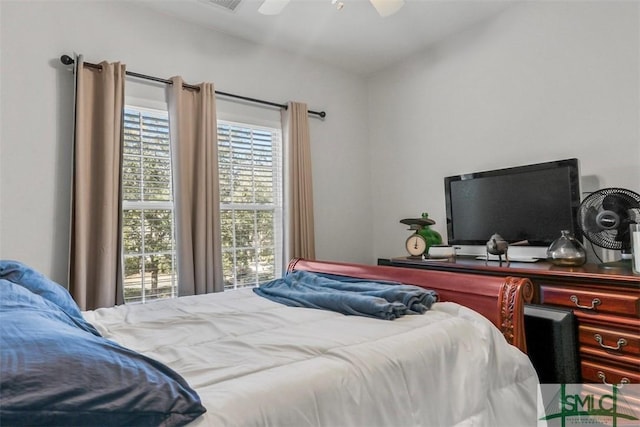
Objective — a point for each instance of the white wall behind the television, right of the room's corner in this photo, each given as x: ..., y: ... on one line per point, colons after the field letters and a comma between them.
x: 542, y: 81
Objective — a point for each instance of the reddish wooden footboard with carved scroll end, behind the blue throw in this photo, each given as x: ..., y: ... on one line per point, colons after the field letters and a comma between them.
x: 499, y: 299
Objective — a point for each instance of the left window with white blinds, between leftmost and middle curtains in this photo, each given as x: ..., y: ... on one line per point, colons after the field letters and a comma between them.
x: 147, y: 202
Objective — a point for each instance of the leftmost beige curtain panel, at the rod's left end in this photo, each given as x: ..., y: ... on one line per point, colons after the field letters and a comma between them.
x: 95, y: 276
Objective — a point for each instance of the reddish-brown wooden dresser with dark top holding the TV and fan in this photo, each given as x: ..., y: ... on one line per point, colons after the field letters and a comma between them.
x: 606, y: 304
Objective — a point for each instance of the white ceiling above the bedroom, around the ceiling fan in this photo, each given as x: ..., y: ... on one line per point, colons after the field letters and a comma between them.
x: 355, y: 38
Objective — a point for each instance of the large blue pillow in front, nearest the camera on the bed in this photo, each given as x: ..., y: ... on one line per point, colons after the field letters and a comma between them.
x: 57, y: 373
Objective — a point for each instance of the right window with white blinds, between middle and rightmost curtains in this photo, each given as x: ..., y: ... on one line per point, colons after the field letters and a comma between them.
x: 250, y: 164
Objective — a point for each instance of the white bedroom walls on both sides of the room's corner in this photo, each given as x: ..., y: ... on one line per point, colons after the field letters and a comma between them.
x: 542, y: 81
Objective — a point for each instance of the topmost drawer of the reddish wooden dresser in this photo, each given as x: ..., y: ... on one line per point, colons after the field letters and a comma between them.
x: 588, y: 301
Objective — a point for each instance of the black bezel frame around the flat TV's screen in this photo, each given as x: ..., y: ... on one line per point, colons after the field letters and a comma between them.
x: 574, y: 181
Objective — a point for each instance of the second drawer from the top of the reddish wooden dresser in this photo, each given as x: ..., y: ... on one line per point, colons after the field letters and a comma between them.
x: 614, y: 342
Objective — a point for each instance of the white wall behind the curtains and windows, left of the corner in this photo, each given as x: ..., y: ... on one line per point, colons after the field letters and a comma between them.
x: 36, y: 112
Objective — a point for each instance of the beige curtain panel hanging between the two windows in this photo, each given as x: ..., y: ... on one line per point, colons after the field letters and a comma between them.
x: 194, y: 148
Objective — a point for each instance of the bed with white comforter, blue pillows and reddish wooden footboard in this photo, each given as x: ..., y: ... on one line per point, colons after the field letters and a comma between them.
x: 239, y: 359
